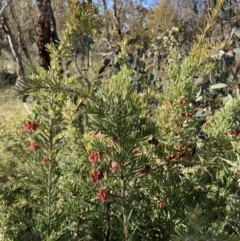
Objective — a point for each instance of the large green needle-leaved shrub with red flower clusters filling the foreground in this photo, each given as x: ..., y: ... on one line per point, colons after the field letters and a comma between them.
x: 136, y: 165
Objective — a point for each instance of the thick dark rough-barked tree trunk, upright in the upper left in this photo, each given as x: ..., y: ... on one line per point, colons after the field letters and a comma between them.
x: 46, y: 31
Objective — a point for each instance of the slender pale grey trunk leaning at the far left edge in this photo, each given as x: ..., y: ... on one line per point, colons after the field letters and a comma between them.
x: 12, y: 42
